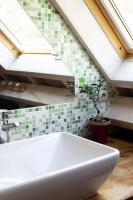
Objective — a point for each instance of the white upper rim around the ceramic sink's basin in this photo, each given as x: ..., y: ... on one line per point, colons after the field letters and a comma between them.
x: 93, y: 161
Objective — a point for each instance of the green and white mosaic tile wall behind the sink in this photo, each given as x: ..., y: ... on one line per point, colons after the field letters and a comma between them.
x: 71, y: 117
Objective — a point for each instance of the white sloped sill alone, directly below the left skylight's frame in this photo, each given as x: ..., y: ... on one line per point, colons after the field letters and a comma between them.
x: 39, y: 63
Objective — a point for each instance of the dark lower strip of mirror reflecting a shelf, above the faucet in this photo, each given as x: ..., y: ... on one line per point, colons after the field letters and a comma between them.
x: 18, y: 92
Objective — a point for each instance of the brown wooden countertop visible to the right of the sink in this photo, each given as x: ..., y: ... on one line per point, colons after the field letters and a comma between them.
x: 120, y: 185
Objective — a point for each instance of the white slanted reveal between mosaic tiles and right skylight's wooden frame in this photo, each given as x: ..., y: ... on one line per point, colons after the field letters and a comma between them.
x: 90, y: 34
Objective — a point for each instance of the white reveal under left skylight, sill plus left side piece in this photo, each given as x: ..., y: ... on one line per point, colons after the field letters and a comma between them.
x: 34, y: 63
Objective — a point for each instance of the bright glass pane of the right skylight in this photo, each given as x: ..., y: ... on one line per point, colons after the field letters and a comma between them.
x: 121, y: 13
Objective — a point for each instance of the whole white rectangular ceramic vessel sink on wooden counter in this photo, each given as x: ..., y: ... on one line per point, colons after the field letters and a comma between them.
x: 58, y: 166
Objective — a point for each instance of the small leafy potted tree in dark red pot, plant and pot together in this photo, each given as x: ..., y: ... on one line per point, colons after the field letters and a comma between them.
x: 99, y: 124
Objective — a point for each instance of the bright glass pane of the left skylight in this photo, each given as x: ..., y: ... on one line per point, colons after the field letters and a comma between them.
x: 20, y: 29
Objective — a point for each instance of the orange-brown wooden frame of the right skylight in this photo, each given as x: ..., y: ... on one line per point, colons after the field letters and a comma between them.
x: 104, y: 20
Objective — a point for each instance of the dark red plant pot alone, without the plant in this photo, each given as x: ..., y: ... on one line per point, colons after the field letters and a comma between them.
x: 99, y: 129
